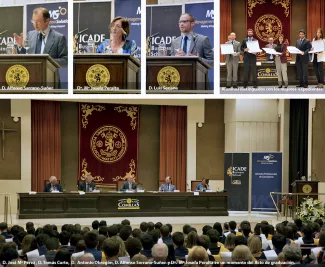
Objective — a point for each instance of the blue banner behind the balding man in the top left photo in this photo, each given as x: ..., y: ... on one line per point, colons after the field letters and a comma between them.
x: 59, y: 23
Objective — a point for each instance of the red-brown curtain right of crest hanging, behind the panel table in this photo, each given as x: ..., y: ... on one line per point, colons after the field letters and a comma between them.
x: 173, y: 140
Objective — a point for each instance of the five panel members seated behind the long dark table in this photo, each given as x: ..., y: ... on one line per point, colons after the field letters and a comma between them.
x: 129, y: 185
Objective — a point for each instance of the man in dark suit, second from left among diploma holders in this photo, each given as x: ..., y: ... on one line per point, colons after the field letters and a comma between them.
x: 249, y: 60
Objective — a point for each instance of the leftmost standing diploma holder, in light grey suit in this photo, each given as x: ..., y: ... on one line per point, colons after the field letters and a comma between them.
x: 232, y: 61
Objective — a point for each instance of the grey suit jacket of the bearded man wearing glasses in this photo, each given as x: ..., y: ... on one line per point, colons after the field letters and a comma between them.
x: 200, y: 44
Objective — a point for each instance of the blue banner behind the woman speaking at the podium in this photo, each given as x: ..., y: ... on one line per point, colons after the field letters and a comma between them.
x: 131, y: 11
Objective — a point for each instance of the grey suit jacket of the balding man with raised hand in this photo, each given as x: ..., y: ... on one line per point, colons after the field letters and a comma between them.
x: 56, y: 46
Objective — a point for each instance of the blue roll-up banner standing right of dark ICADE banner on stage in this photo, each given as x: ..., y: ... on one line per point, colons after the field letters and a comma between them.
x: 266, y: 178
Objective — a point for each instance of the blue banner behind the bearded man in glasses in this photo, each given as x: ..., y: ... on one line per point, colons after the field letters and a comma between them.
x: 204, y: 24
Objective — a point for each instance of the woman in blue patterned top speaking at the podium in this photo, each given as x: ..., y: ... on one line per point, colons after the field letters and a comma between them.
x: 119, y: 30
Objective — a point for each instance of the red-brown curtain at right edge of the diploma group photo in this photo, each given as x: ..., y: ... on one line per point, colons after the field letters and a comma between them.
x: 315, y: 17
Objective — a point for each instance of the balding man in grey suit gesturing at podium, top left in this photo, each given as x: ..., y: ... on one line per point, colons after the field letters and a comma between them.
x: 44, y: 39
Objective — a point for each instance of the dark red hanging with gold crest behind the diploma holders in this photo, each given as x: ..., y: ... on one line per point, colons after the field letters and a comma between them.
x: 269, y: 18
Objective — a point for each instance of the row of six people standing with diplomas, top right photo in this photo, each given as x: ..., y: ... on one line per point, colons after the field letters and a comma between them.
x: 302, y: 59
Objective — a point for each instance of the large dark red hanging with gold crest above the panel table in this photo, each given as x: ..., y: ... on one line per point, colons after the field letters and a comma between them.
x: 108, y: 142
